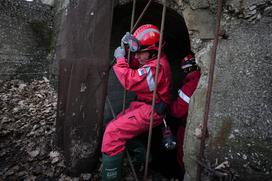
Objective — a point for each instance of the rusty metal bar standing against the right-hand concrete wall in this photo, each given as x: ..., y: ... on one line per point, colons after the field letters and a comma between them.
x: 209, y: 89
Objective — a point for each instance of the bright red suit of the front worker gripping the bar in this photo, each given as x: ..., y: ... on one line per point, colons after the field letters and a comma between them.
x: 136, y: 118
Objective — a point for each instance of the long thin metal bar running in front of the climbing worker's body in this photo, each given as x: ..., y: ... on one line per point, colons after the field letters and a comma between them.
x: 155, y: 90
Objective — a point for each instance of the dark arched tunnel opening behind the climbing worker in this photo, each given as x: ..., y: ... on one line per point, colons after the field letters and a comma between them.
x: 177, y: 46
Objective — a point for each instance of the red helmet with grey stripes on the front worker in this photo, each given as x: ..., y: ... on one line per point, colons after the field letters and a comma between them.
x: 148, y: 37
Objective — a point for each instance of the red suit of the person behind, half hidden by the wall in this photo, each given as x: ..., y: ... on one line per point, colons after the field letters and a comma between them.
x: 179, y: 109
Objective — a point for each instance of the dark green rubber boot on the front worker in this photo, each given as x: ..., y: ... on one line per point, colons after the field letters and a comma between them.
x: 112, y: 167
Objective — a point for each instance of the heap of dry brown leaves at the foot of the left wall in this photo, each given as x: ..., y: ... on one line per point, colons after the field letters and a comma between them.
x: 27, y: 131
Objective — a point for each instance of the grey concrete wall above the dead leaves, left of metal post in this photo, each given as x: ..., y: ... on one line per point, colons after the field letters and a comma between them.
x: 26, y: 33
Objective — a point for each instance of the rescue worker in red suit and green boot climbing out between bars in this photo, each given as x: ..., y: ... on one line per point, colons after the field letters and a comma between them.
x: 139, y: 78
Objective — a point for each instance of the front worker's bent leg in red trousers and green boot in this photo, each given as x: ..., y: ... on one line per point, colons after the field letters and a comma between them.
x: 134, y: 122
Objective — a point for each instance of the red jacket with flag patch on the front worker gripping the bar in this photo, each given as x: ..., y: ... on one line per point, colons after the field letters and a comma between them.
x: 141, y: 80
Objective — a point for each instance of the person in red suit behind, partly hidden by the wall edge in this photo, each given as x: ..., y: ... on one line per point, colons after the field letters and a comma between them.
x: 179, y: 107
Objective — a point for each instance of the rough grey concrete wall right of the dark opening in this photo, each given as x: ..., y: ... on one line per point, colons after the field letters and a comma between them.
x: 241, y: 107
